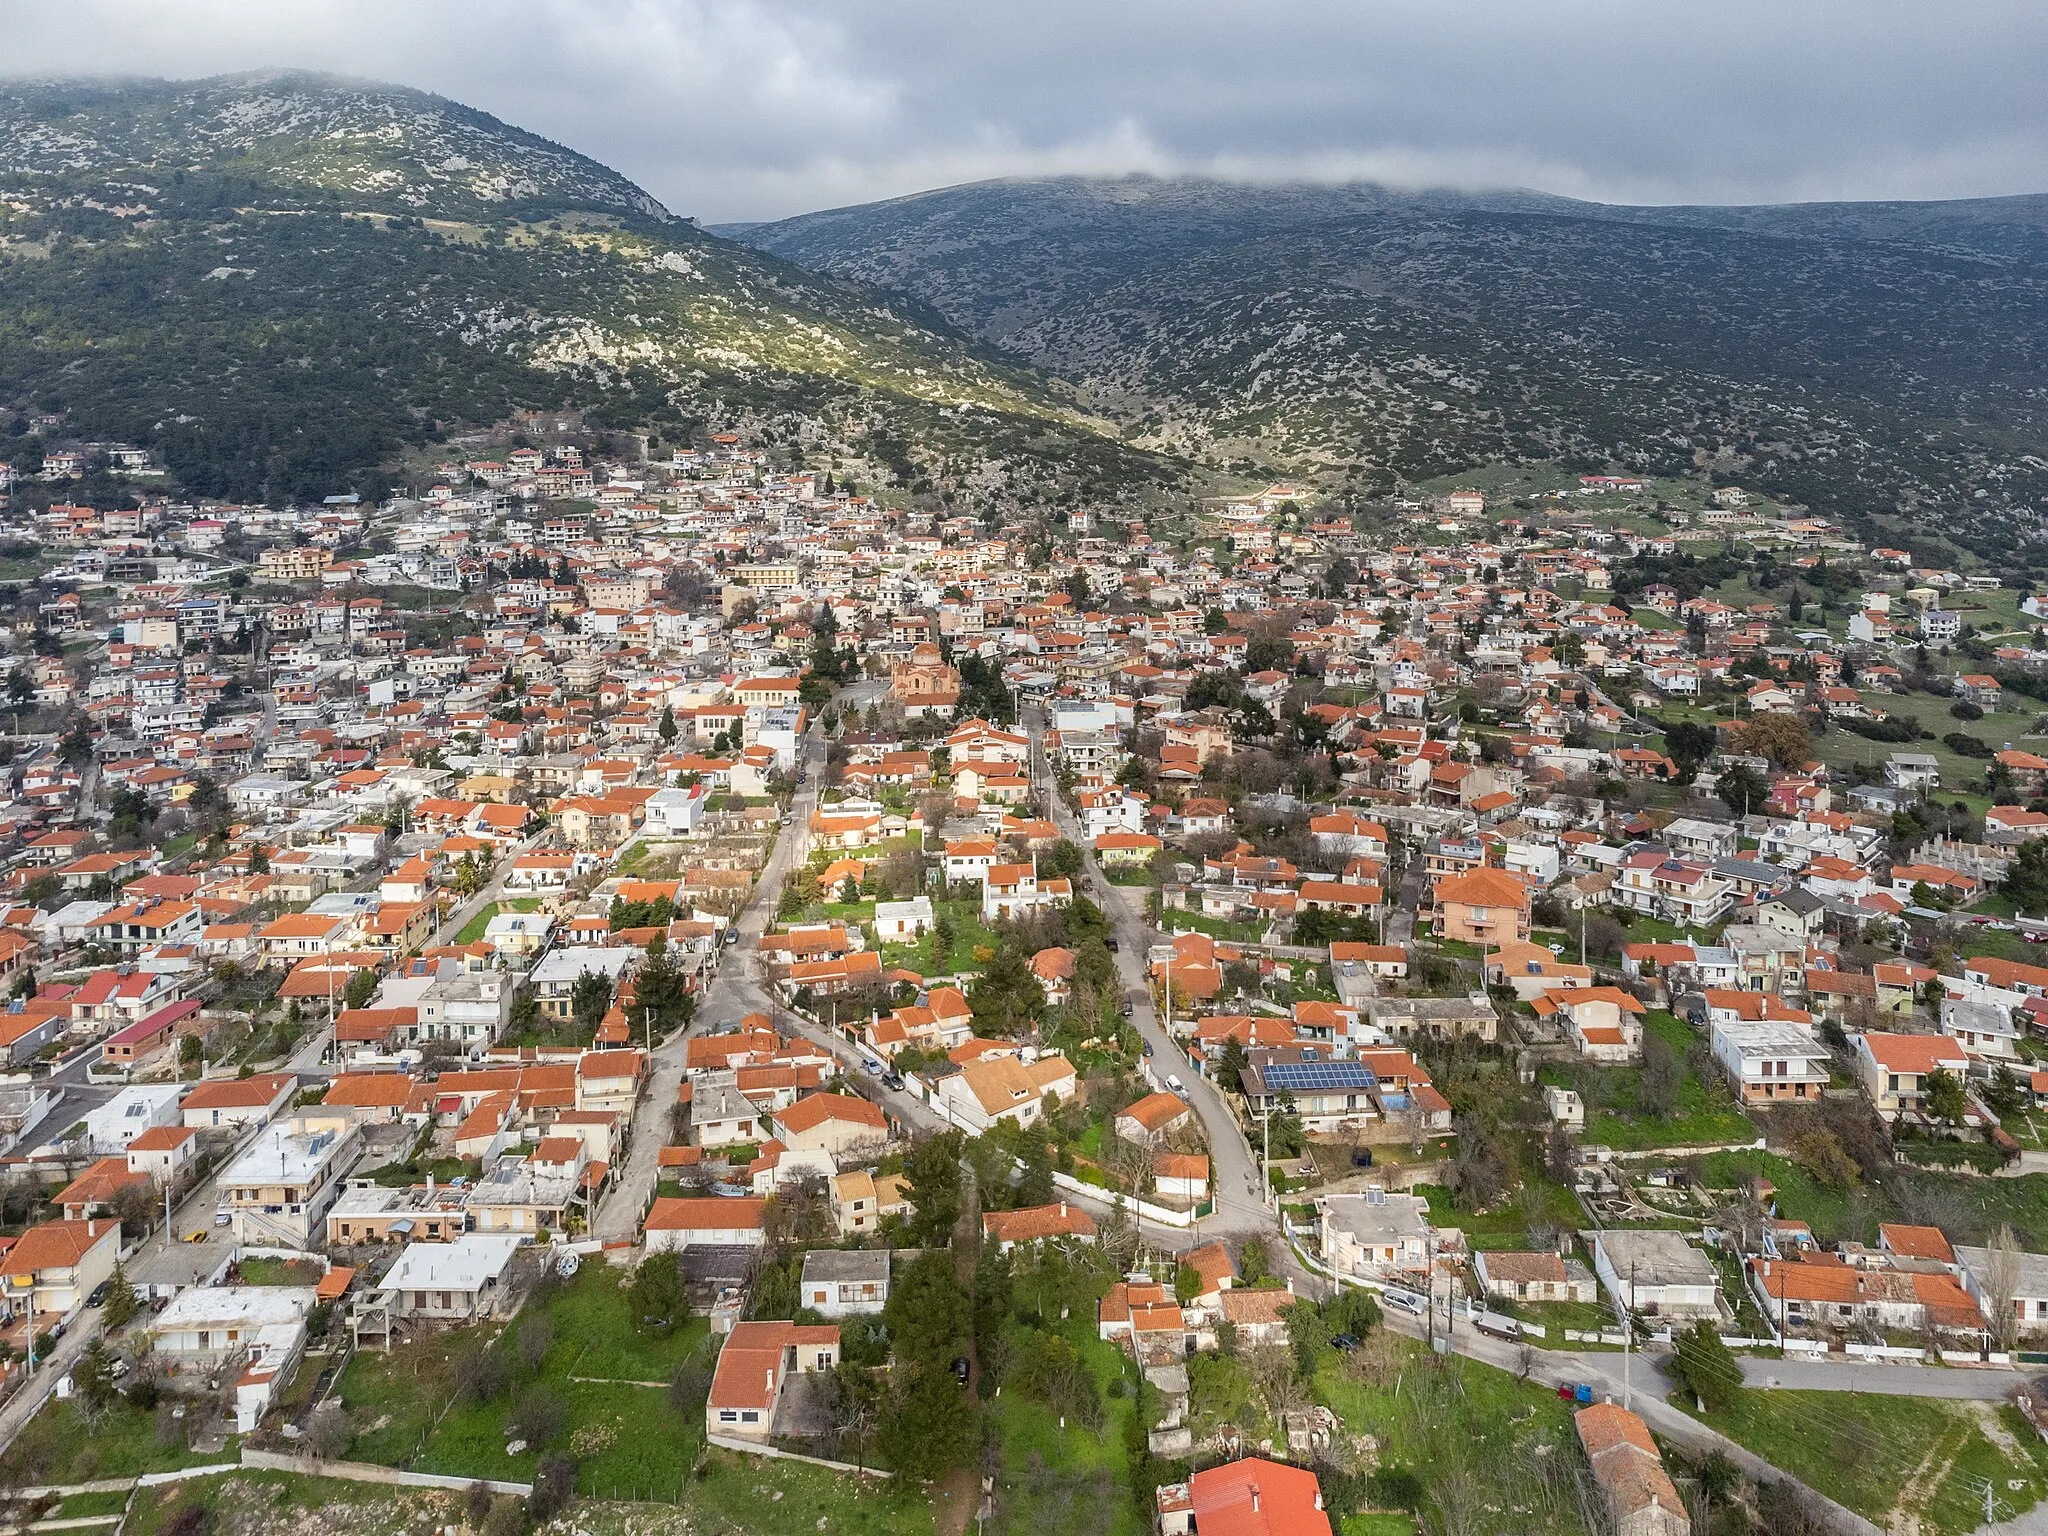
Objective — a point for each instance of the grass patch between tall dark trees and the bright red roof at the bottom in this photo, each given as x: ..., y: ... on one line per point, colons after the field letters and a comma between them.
x: 1074, y: 1480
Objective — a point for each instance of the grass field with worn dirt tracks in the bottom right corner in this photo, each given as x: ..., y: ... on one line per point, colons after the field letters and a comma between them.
x: 1893, y: 1455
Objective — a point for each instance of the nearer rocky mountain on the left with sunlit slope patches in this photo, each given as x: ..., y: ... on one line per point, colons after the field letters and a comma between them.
x: 288, y: 282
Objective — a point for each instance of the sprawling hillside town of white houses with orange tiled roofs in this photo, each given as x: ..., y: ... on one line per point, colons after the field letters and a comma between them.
x: 658, y: 976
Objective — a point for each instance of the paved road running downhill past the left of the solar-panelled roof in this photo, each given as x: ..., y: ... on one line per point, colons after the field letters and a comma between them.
x: 1234, y: 1168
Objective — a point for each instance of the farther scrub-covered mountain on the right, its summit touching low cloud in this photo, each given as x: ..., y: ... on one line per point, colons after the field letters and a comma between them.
x: 1875, y: 361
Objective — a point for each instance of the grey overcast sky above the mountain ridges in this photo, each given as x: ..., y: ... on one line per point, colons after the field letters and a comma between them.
x: 755, y: 110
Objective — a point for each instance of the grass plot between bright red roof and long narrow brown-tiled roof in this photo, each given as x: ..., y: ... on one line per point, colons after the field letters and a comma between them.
x: 1476, y: 1437
